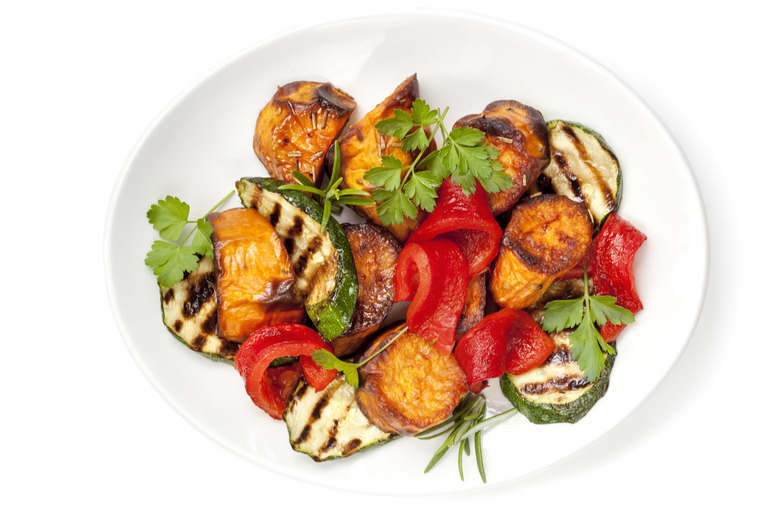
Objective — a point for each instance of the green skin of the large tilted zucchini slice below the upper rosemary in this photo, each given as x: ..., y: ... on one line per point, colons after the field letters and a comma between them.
x: 331, y: 315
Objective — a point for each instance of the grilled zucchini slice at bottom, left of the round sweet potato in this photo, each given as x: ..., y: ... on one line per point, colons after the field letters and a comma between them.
x: 328, y: 424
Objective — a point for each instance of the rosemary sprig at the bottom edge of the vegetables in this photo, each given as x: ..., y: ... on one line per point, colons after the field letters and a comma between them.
x: 467, y: 420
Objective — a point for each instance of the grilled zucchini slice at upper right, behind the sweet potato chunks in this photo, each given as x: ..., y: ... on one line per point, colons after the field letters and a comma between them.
x: 600, y: 212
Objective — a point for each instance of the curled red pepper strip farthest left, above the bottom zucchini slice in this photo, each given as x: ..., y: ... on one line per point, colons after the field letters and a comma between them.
x: 268, y: 343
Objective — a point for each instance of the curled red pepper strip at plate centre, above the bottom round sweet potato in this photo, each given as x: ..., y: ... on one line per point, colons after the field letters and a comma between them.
x: 432, y: 275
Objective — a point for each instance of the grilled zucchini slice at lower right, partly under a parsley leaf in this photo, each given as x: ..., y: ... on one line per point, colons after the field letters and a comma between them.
x: 557, y: 390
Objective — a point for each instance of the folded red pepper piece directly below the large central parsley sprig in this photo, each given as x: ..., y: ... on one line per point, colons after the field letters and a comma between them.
x: 466, y: 220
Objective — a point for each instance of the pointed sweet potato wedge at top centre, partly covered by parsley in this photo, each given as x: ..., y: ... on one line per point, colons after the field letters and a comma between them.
x: 363, y: 146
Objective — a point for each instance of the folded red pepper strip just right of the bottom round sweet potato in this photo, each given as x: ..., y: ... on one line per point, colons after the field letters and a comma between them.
x: 506, y: 341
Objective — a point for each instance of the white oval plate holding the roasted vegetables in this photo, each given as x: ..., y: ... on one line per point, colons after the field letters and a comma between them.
x: 203, y: 143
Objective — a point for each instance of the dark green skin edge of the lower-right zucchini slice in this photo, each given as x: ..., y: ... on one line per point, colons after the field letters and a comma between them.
x: 548, y: 413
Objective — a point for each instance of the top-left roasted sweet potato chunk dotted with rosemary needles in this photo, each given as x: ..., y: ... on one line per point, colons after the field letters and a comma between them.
x: 296, y: 128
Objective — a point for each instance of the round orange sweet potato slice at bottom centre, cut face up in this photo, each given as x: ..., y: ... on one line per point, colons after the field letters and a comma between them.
x: 411, y: 385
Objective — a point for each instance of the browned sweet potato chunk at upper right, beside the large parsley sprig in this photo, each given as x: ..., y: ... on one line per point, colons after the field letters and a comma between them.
x: 519, y: 133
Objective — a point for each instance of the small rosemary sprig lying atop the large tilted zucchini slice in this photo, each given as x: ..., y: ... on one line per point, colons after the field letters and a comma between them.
x: 332, y: 198
